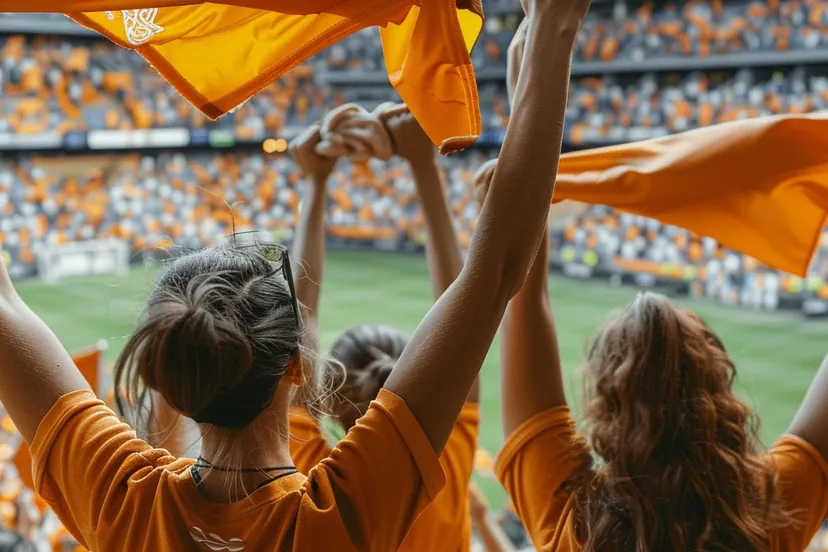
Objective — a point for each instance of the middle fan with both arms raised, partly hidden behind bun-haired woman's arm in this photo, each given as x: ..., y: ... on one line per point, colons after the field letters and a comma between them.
x: 368, y: 352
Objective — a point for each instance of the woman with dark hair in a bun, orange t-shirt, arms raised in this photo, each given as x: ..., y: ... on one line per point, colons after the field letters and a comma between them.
x: 222, y: 342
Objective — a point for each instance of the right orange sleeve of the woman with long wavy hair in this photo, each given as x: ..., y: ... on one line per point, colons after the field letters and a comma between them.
x: 803, y: 488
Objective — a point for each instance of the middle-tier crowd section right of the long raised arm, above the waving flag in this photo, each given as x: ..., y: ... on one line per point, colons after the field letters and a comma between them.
x: 612, y: 109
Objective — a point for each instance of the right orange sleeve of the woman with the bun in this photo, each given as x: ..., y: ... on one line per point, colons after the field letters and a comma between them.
x: 380, y: 476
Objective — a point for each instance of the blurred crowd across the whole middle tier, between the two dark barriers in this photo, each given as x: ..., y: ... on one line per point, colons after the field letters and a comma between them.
x: 53, y: 85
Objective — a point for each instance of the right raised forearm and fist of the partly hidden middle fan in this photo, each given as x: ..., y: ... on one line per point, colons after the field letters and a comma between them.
x: 445, y: 260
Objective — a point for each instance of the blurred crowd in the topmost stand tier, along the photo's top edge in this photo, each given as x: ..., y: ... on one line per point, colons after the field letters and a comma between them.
x: 636, y: 31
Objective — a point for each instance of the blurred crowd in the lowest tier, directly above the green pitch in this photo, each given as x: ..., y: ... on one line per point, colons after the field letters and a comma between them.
x: 169, y: 203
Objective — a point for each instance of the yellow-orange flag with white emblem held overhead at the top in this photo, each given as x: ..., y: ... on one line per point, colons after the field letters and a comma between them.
x: 217, y: 55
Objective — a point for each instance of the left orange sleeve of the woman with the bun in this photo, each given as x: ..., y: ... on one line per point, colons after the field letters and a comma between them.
x: 83, y: 456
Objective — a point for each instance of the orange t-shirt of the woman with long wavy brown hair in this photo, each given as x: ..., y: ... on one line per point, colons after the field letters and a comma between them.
x: 542, y: 453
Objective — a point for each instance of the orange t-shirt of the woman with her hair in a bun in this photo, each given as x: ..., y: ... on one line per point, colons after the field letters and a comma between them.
x: 113, y: 491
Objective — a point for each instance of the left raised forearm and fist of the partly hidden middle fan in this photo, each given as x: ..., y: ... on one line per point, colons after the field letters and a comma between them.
x: 309, y: 244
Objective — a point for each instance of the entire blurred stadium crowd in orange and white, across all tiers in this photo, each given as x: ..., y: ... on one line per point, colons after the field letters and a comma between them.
x: 641, y: 70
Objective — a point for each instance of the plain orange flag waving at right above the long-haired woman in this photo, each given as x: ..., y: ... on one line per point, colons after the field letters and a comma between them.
x: 759, y: 186
